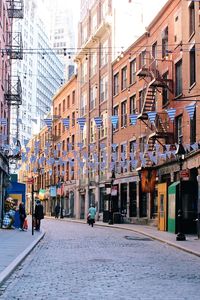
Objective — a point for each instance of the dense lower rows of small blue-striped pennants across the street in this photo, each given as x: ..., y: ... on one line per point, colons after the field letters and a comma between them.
x: 92, y: 161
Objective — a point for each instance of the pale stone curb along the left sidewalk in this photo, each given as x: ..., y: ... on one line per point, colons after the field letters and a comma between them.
x: 16, y: 262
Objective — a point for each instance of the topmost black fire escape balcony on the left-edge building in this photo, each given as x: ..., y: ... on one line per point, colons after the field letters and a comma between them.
x: 15, y: 9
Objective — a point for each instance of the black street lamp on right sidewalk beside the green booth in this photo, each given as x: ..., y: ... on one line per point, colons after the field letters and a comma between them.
x: 180, y: 153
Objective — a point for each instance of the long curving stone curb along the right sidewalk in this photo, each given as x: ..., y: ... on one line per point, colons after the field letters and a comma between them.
x: 193, y: 252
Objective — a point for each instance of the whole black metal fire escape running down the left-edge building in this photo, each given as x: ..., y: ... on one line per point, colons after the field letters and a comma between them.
x: 14, y: 49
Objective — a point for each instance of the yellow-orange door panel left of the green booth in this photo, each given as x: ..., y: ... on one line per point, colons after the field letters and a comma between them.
x: 162, y: 206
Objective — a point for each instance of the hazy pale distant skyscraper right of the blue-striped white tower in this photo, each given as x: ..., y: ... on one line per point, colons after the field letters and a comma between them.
x: 62, y: 33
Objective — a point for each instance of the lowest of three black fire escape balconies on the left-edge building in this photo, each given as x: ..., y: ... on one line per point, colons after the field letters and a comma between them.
x: 13, y: 91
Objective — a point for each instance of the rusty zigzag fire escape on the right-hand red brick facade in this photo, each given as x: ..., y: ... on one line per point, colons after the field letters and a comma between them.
x: 159, y: 130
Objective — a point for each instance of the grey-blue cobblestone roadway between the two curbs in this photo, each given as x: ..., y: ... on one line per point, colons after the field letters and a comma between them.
x: 76, y: 261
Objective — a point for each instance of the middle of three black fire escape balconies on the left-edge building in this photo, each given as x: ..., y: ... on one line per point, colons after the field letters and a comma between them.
x: 14, y: 46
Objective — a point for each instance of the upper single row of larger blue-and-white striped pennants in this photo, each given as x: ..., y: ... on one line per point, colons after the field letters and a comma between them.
x: 190, y: 109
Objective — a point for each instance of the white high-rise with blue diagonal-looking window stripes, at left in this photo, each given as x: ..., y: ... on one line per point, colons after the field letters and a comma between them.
x: 41, y: 73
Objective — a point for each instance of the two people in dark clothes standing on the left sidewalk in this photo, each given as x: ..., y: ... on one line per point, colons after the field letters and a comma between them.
x: 38, y: 216
